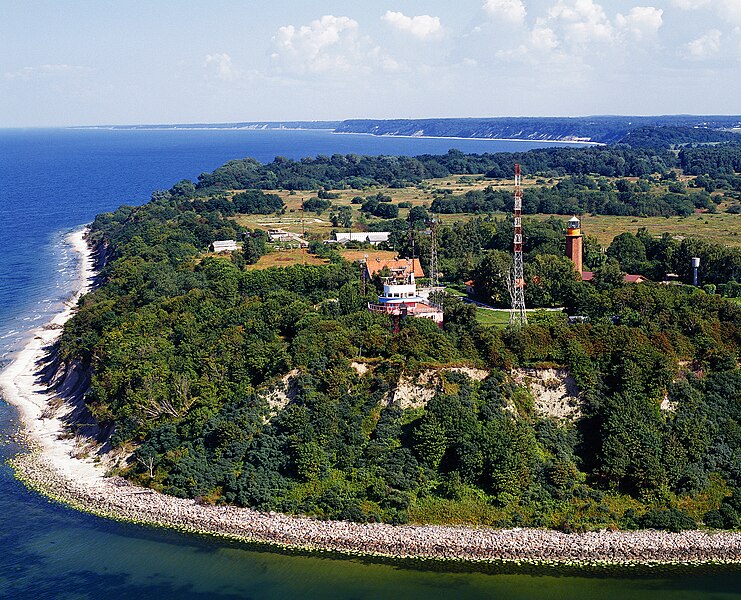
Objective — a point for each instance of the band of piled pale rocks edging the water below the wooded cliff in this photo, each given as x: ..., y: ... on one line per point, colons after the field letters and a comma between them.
x: 116, y: 498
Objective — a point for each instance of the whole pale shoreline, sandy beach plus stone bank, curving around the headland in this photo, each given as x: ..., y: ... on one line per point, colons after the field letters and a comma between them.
x: 58, y: 468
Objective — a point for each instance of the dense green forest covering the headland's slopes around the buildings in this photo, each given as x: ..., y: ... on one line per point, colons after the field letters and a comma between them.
x: 186, y: 351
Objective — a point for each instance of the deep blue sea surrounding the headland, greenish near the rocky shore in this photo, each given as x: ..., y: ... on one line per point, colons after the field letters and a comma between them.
x: 54, y: 181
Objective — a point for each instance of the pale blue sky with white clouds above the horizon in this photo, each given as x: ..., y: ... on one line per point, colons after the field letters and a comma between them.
x: 94, y: 62
